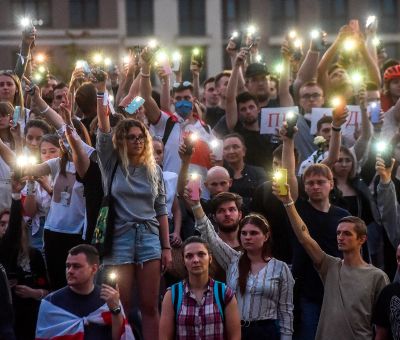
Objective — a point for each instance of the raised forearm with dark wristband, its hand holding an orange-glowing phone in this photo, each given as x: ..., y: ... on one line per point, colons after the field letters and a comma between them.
x: 339, y: 118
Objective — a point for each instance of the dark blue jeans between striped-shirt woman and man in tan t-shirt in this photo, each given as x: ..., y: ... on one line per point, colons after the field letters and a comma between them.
x: 310, y: 312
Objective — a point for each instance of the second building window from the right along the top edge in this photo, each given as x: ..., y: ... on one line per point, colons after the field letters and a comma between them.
x: 333, y: 14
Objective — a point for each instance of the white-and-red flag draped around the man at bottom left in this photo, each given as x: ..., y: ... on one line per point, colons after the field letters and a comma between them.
x: 55, y: 323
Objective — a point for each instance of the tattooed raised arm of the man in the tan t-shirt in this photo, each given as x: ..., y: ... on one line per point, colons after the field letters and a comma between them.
x: 300, y: 229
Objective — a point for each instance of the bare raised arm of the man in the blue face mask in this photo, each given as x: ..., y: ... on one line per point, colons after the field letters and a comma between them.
x: 151, y: 108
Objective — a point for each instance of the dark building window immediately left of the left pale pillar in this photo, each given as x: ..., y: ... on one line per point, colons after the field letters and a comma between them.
x: 139, y: 17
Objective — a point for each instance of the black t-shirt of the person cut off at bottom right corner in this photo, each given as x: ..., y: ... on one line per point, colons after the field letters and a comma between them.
x: 386, y: 313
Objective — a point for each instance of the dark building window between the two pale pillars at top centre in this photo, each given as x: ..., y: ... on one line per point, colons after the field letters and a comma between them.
x: 192, y: 17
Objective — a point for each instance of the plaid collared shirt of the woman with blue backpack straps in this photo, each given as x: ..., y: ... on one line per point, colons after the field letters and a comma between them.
x: 201, y: 320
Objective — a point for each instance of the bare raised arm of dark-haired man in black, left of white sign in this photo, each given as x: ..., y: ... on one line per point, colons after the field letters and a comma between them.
x: 231, y: 91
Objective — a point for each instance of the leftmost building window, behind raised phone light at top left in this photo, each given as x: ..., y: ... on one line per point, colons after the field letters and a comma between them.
x: 38, y: 10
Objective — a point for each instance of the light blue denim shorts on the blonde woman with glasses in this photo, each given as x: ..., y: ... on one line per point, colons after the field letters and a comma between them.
x: 137, y: 245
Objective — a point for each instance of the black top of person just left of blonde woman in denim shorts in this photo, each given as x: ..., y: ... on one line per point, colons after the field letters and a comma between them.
x: 93, y: 192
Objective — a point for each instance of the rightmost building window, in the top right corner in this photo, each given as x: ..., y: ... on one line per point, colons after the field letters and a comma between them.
x: 386, y: 12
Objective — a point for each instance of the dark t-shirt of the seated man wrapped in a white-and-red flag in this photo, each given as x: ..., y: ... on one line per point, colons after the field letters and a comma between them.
x: 82, y: 305
